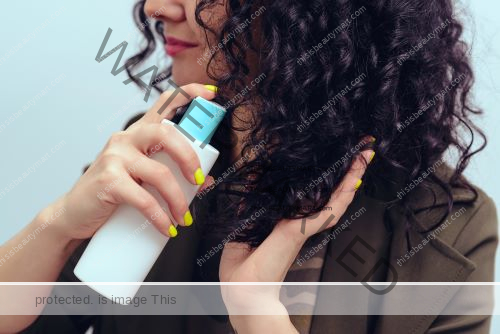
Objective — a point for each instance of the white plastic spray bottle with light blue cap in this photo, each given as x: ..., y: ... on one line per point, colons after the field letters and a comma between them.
x: 125, y: 248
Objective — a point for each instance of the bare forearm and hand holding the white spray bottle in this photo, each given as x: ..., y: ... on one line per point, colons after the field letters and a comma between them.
x: 42, y: 260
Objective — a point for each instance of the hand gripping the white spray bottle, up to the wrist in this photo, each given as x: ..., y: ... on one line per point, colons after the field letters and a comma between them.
x: 124, y: 164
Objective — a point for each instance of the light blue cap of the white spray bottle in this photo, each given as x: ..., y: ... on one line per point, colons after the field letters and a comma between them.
x: 202, y: 119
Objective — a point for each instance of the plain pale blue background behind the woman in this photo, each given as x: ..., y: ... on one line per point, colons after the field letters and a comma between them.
x: 89, y: 94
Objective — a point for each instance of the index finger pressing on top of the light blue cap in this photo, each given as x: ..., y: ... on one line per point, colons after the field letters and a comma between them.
x: 172, y: 99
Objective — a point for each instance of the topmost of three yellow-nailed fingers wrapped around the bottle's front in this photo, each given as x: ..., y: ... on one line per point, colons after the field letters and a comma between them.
x: 152, y: 138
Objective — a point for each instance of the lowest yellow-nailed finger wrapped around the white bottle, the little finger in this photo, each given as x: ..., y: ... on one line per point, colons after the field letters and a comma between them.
x: 131, y: 193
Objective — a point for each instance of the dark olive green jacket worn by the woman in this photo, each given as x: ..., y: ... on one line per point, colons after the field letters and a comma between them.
x: 463, y: 252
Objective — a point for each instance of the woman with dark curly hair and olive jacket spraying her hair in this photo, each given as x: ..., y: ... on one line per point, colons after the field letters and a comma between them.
x: 322, y: 85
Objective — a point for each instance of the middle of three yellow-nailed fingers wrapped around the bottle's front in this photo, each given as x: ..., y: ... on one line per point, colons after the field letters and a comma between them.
x: 160, y: 177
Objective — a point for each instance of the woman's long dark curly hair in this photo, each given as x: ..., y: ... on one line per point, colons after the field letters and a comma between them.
x: 394, y: 69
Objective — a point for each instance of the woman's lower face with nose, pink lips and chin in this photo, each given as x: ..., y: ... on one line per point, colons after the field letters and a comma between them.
x: 186, y: 42
